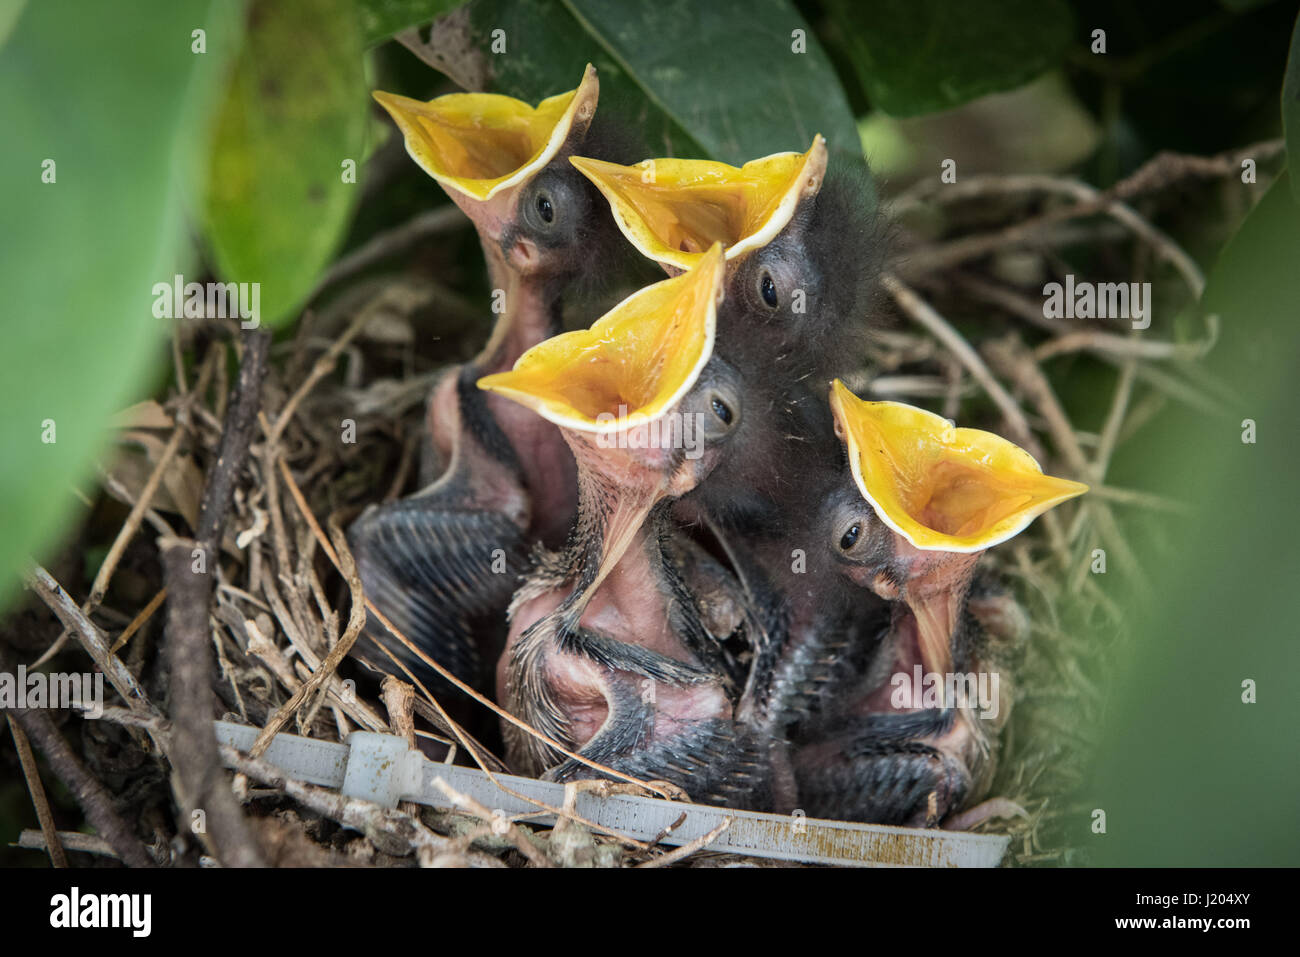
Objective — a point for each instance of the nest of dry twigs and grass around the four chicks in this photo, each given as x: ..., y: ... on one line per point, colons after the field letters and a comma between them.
x: 258, y: 484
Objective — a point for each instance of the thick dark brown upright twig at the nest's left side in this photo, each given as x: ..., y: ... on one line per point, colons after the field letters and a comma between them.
x: 194, y: 743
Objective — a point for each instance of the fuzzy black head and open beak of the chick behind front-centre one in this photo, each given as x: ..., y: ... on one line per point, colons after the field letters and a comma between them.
x: 804, y: 249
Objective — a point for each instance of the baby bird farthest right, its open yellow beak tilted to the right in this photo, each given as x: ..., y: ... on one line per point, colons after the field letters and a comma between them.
x: 917, y: 738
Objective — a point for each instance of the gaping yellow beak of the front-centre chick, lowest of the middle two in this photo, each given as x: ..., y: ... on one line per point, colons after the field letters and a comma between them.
x: 632, y: 366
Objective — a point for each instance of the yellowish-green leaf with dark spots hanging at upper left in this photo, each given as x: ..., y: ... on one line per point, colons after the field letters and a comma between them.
x: 278, y: 203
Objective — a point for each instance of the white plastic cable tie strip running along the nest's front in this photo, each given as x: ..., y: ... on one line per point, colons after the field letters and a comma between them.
x: 374, y: 768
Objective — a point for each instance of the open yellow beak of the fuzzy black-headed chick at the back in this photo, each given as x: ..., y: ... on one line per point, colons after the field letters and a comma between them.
x: 673, y: 211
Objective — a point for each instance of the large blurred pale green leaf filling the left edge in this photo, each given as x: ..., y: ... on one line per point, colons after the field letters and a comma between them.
x: 118, y: 103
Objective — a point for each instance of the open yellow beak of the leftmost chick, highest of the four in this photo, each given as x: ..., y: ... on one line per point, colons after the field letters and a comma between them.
x: 479, y: 145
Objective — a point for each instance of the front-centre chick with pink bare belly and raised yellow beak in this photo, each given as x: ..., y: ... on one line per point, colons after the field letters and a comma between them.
x: 616, y: 643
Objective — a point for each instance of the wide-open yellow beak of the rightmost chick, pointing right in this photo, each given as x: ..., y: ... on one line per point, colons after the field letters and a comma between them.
x: 939, y: 487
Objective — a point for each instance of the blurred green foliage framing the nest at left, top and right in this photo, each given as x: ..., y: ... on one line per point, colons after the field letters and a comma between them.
x: 213, y: 140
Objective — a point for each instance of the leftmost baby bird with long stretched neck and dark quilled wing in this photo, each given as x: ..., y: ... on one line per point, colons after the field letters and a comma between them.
x: 444, y: 562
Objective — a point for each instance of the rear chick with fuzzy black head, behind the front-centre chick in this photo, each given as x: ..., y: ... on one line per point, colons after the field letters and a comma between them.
x: 804, y: 250
